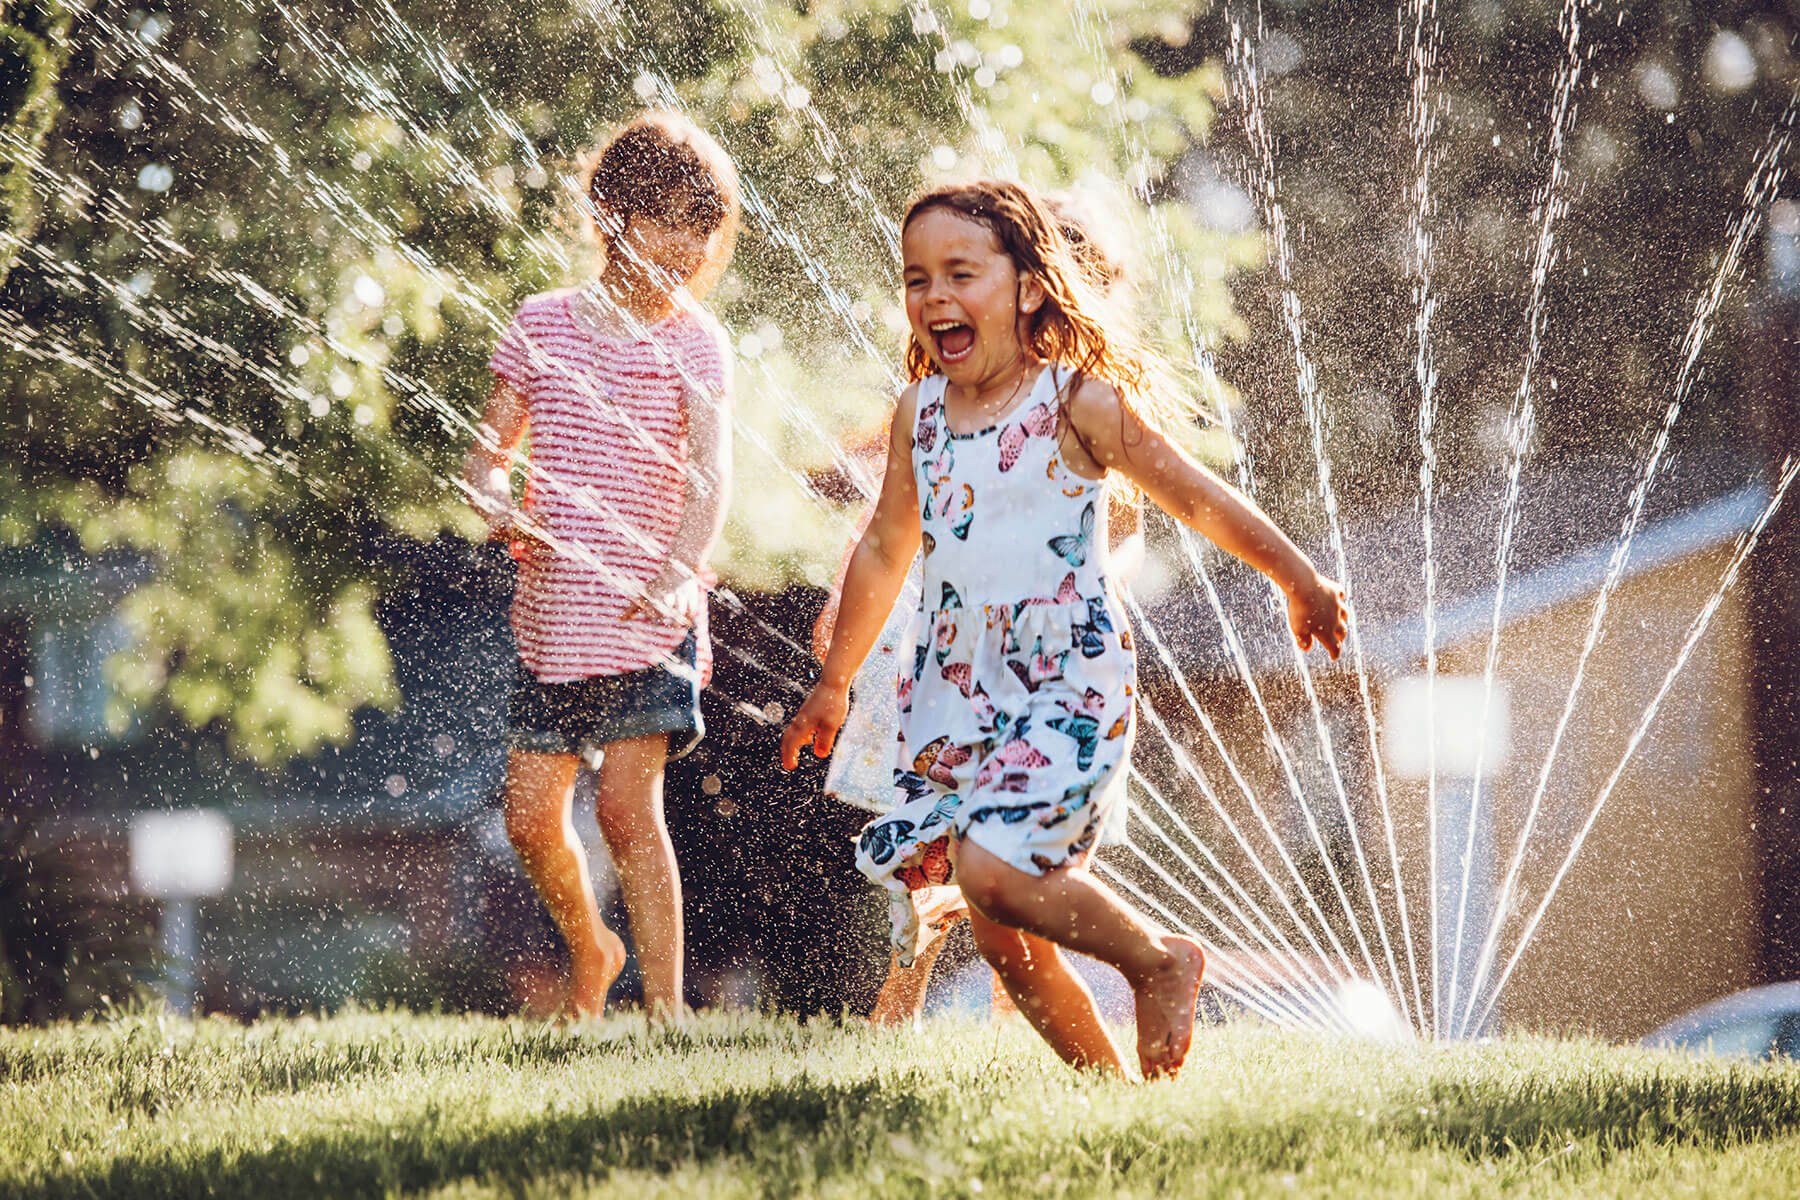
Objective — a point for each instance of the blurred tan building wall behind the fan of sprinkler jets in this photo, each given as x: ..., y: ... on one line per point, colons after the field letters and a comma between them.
x: 1662, y: 908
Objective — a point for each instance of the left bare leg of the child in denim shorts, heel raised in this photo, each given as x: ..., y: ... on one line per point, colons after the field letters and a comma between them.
x: 539, y: 791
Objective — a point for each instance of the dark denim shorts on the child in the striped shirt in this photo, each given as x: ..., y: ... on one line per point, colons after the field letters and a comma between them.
x: 584, y: 715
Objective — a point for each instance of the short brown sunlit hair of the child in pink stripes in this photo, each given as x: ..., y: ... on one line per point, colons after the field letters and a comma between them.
x: 665, y: 168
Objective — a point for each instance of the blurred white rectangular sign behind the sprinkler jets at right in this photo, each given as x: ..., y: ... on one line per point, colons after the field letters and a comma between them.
x: 1419, y: 713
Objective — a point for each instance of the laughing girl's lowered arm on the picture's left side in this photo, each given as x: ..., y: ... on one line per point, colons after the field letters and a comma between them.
x: 872, y: 582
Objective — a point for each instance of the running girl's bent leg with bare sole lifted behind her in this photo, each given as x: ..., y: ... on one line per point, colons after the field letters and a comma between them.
x: 1072, y: 909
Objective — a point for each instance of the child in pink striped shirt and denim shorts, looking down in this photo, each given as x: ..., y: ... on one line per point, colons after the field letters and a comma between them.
x: 625, y: 391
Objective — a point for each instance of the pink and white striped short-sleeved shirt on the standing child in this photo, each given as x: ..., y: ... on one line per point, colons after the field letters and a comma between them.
x: 609, y: 460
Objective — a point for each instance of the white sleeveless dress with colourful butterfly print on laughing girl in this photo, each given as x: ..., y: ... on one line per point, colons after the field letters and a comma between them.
x: 1016, y: 710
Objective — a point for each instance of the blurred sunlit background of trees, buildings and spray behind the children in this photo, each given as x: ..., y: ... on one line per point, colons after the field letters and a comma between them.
x: 1495, y: 305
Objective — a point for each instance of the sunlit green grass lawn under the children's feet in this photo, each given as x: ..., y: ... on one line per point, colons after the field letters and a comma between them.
x: 737, y: 1106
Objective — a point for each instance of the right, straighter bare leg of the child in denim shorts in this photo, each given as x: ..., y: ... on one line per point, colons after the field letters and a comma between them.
x: 631, y: 818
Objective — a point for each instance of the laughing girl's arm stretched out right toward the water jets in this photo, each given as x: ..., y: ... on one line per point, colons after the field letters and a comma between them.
x: 1115, y: 438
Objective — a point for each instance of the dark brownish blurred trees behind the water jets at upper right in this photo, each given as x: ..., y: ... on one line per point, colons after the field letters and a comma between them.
x: 1669, y: 107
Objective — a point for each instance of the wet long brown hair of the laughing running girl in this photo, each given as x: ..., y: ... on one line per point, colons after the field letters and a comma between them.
x: 1075, y: 327
